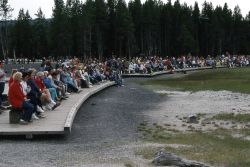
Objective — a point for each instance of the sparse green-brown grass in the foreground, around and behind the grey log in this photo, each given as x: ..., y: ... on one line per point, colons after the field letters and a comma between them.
x: 217, y: 148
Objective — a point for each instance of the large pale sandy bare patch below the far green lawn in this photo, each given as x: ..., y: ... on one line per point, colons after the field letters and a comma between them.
x: 180, y: 105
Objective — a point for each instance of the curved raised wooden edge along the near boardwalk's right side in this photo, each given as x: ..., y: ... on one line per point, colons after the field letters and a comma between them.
x: 71, y: 115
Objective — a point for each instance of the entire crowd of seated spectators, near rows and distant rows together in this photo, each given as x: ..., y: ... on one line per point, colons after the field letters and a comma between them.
x: 34, y: 91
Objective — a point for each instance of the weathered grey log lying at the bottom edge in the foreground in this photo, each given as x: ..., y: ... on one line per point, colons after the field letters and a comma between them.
x: 169, y: 159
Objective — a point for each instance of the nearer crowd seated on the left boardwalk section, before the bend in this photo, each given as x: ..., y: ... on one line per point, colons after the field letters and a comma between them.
x: 35, y: 91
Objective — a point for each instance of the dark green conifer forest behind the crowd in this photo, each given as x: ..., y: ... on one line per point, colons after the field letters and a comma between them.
x: 96, y: 28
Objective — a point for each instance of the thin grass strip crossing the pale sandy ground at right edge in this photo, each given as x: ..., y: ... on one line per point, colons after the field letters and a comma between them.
x: 233, y: 117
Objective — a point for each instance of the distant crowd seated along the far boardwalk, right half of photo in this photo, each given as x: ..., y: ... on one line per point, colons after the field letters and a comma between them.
x: 153, y: 64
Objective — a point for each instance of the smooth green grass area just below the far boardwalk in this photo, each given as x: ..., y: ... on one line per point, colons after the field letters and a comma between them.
x: 236, y: 80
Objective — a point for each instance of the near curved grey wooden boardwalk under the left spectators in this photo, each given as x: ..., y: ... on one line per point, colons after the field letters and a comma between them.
x: 58, y: 121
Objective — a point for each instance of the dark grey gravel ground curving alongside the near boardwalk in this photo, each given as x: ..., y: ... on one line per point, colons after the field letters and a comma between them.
x: 104, y: 133
